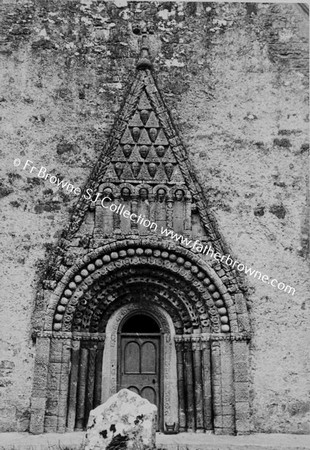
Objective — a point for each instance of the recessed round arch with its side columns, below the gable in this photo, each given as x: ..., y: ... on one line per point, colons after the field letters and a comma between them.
x: 209, y: 336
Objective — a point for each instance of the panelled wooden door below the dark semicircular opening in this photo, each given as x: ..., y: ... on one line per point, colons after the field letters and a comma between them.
x: 139, y: 366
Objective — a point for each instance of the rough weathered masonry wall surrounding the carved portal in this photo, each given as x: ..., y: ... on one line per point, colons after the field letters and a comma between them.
x: 235, y: 79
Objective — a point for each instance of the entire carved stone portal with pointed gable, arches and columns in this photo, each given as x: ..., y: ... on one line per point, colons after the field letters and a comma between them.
x: 126, y: 306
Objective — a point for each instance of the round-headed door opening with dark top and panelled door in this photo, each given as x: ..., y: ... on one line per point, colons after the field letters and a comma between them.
x: 139, y: 355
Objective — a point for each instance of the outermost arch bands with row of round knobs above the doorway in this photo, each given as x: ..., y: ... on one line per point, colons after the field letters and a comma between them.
x: 202, y: 280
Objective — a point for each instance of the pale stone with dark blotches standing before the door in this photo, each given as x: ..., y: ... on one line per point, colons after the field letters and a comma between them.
x: 124, y: 421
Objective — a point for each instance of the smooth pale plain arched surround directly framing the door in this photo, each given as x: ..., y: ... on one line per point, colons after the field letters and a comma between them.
x: 109, y: 379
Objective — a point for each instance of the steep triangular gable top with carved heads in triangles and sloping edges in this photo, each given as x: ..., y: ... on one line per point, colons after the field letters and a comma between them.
x: 144, y: 146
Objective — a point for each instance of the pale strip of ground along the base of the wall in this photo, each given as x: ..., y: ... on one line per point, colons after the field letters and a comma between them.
x: 182, y: 441
